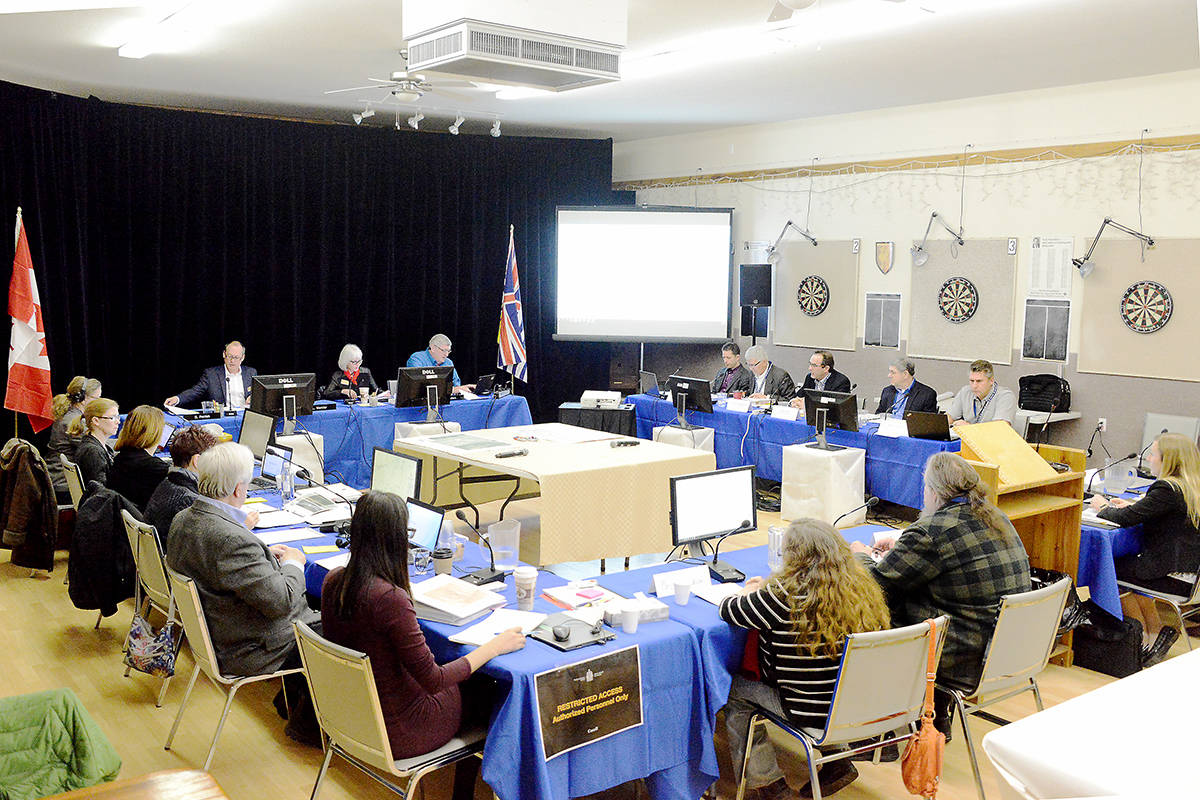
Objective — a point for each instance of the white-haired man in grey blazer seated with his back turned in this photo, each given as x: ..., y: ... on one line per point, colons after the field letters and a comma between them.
x: 251, y: 593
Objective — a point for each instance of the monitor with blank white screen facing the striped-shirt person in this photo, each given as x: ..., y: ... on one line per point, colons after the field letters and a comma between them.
x: 707, y: 506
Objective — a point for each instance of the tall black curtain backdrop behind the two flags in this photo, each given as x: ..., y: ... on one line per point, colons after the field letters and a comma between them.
x: 159, y: 236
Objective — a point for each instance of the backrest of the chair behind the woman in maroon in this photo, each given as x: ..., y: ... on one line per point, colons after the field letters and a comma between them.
x: 345, y: 699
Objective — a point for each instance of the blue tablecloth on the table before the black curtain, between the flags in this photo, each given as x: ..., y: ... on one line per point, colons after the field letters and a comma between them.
x: 352, y: 432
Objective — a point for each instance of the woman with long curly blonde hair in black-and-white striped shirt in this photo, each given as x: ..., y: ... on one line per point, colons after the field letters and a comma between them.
x: 803, y: 615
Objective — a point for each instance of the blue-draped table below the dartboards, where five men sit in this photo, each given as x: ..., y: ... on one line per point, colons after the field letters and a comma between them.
x: 895, y: 465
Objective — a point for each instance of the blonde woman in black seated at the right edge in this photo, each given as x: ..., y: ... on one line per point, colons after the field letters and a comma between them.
x: 1171, y: 544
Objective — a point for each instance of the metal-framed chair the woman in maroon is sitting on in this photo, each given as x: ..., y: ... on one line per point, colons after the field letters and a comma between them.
x: 347, y: 705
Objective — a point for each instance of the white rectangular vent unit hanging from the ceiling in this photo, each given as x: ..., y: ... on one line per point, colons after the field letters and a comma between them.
x: 514, y: 56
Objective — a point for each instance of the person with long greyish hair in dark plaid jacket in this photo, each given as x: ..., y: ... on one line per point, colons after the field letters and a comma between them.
x: 958, y: 560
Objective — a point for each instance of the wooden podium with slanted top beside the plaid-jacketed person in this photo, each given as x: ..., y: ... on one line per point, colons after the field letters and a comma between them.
x: 1045, y: 506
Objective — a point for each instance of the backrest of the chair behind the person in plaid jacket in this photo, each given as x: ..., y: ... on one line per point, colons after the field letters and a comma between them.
x: 1027, y: 629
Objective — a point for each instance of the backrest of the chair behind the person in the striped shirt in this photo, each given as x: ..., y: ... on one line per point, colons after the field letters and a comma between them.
x: 881, y: 682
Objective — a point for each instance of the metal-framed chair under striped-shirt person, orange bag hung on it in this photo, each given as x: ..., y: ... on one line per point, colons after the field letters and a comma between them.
x: 881, y: 689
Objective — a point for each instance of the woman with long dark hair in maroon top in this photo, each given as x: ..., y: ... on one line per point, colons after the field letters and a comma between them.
x: 367, y: 606
